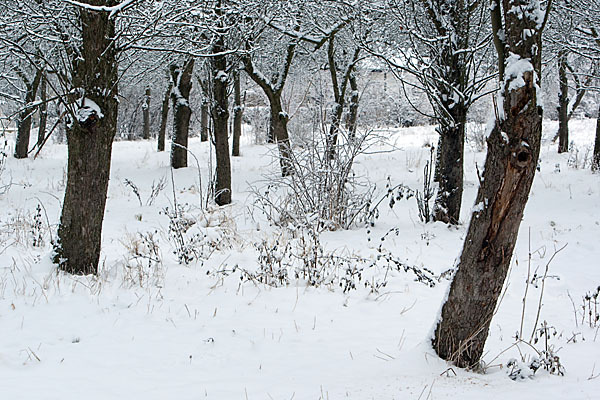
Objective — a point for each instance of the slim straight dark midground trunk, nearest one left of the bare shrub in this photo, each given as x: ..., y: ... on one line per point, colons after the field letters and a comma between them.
x: 220, y: 115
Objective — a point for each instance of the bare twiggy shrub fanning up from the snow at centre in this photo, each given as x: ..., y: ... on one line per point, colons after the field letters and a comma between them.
x: 323, y: 193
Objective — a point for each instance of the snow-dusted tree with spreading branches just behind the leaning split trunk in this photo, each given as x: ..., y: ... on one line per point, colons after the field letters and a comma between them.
x: 439, y: 47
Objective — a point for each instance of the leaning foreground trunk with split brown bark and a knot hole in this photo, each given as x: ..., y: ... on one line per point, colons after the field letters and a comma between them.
x: 513, y: 150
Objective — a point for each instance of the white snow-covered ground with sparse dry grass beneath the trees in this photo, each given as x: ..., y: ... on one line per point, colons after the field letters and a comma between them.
x: 186, y: 332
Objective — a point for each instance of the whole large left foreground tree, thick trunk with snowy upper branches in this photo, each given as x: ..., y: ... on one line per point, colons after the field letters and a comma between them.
x: 84, y: 42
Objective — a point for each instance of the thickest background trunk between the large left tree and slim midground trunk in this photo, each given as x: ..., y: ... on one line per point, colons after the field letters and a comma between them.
x: 181, y: 112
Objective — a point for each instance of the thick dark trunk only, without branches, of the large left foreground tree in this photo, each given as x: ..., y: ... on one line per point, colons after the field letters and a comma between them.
x: 89, y: 139
